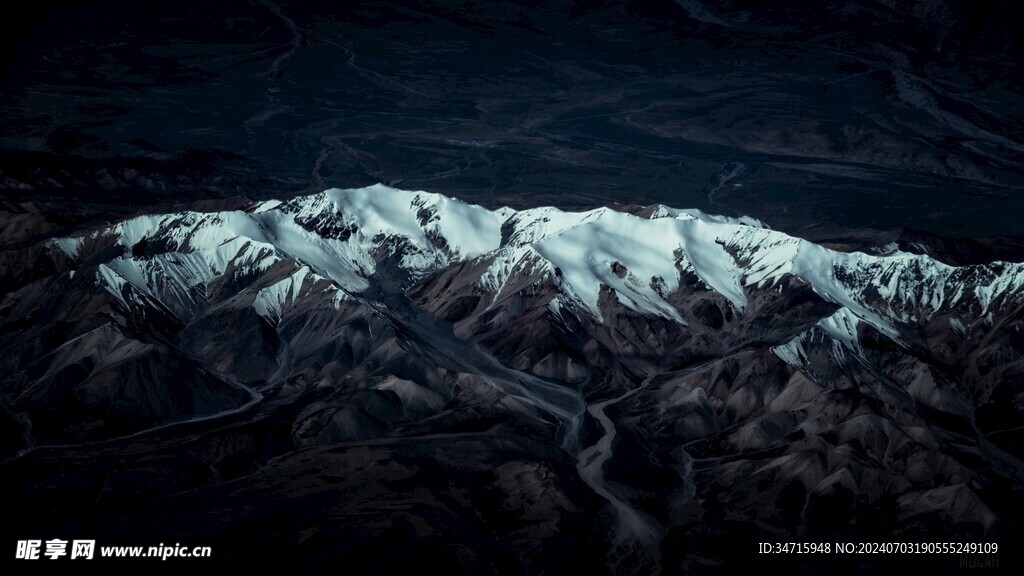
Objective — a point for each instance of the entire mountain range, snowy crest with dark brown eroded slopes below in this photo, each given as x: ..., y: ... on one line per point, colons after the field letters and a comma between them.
x: 496, y: 391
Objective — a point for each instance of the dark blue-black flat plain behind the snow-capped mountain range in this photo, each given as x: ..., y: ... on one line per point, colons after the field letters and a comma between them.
x: 859, y: 114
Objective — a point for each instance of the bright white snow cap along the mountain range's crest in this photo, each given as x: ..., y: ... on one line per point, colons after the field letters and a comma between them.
x: 345, y: 235
